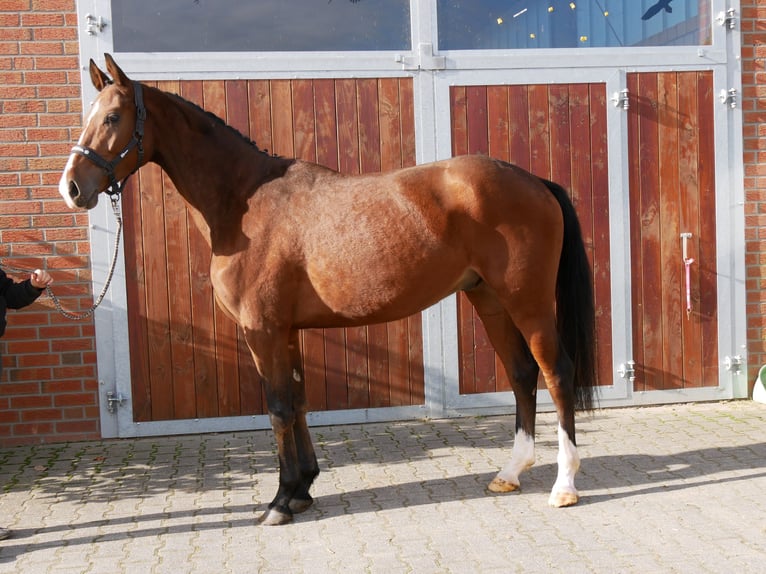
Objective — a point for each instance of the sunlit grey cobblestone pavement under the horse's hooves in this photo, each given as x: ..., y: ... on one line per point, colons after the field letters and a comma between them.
x: 677, y: 488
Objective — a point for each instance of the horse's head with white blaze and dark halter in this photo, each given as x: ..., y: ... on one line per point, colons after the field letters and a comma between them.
x: 111, y: 146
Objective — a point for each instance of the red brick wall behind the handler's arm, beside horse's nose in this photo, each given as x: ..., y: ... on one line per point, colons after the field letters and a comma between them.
x: 48, y: 389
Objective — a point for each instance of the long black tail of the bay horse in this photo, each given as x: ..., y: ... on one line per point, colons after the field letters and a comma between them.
x: 575, y: 308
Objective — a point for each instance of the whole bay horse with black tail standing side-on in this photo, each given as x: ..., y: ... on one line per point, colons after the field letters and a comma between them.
x: 296, y: 245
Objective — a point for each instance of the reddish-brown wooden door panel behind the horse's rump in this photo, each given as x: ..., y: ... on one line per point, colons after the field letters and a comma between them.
x: 559, y: 132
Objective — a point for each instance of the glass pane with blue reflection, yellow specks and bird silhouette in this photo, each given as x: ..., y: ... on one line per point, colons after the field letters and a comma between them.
x: 483, y: 24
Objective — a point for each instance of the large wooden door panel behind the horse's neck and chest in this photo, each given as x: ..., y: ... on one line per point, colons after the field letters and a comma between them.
x: 187, y: 359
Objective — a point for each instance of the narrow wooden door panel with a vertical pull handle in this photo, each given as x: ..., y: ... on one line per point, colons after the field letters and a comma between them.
x: 671, y: 162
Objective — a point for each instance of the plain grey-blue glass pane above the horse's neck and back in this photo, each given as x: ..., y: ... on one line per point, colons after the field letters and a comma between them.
x: 262, y: 25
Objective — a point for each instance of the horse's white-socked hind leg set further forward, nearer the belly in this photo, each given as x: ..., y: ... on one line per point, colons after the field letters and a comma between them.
x: 522, y: 371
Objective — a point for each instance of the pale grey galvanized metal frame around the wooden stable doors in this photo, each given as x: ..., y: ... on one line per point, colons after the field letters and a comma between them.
x: 433, y: 72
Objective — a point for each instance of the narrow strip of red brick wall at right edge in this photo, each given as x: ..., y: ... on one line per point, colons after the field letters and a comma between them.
x: 754, y: 127
